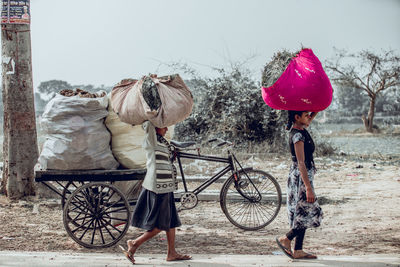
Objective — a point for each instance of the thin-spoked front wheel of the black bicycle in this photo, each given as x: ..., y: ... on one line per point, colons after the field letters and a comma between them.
x: 253, y: 202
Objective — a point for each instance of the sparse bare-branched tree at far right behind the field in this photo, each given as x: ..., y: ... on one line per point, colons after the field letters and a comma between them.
x: 367, y: 71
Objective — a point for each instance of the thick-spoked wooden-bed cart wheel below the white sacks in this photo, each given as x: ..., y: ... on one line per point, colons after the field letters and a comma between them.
x: 89, y: 214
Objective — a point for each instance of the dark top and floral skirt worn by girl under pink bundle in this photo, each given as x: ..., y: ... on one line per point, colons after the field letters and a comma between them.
x: 301, y: 213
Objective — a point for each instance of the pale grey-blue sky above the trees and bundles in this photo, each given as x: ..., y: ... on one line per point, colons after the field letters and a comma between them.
x: 100, y: 42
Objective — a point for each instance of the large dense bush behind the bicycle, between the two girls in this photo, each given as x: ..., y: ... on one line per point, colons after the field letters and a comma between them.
x: 231, y: 107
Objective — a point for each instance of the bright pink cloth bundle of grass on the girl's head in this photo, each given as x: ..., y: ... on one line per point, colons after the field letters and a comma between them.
x: 296, y: 82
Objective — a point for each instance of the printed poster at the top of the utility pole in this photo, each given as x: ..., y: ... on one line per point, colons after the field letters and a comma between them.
x: 15, y: 12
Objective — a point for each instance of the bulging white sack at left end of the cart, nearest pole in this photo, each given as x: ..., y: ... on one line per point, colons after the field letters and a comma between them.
x: 76, y: 137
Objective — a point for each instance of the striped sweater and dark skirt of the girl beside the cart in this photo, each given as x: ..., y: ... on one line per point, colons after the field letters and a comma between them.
x: 155, y: 207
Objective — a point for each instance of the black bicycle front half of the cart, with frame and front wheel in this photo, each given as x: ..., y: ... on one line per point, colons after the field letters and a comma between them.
x: 249, y: 198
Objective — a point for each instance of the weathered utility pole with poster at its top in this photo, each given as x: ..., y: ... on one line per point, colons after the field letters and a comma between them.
x: 20, y: 151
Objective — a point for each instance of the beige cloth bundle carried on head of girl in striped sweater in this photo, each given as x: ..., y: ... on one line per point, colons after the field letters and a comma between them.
x: 164, y: 101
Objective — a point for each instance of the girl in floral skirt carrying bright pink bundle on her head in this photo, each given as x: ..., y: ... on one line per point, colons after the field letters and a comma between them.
x: 297, y: 82
